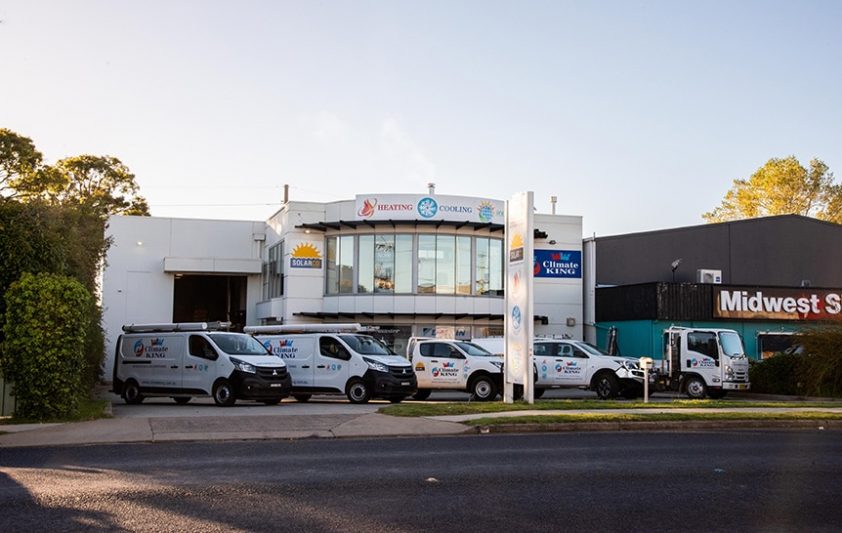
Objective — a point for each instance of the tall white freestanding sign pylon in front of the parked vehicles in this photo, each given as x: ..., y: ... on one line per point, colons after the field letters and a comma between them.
x: 519, y: 318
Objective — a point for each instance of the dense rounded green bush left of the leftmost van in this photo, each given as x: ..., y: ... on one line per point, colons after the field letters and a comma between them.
x: 46, y: 327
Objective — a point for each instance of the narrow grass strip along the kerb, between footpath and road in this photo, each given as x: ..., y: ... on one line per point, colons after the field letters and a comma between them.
x: 643, y: 417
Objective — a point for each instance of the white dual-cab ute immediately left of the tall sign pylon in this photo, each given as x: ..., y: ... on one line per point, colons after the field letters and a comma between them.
x: 446, y: 364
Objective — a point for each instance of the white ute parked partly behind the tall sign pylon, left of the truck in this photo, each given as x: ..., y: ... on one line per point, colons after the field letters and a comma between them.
x: 567, y: 363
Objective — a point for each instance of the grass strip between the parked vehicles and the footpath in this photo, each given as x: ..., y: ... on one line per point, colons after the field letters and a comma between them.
x: 467, y: 408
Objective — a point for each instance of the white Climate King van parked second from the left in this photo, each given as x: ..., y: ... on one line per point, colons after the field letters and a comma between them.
x: 338, y: 358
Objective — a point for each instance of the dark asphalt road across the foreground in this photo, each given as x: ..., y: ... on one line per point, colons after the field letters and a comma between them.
x: 705, y: 481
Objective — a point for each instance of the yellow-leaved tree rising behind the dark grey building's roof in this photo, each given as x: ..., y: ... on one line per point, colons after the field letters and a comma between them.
x: 782, y: 187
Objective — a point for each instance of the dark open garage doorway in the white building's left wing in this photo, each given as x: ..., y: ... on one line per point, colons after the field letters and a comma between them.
x: 202, y: 298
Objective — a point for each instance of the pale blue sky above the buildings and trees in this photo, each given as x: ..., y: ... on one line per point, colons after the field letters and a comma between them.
x: 636, y: 114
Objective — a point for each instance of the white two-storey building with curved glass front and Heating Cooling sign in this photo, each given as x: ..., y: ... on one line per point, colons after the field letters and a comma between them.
x: 424, y: 265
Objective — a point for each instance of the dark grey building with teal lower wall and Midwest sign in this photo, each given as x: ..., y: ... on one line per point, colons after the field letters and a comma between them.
x: 766, y: 278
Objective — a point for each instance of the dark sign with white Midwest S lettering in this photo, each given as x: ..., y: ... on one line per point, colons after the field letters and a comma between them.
x: 778, y: 304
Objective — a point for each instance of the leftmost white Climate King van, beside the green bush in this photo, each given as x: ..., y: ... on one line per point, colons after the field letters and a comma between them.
x: 189, y: 359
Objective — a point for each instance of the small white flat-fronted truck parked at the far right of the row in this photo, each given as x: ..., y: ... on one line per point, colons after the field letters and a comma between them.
x: 702, y: 362
